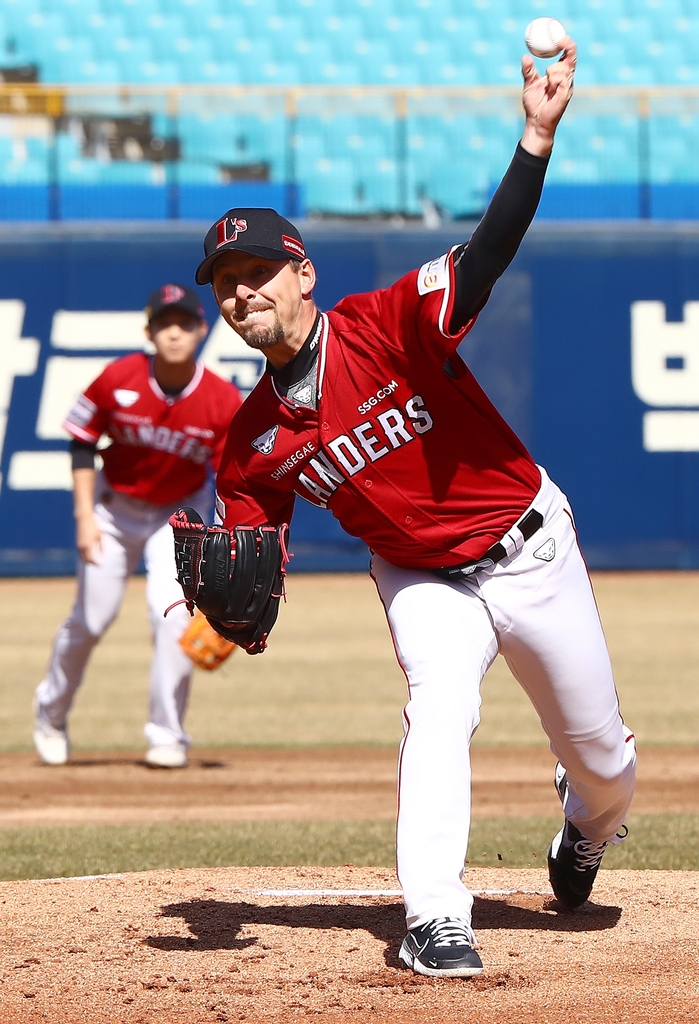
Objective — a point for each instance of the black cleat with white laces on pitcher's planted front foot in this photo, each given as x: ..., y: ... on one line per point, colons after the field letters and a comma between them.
x: 443, y: 949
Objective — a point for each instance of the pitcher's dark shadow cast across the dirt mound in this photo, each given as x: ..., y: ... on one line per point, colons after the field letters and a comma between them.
x: 216, y: 925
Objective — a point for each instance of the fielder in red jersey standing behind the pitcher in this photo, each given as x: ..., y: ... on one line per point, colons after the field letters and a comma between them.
x: 167, y: 418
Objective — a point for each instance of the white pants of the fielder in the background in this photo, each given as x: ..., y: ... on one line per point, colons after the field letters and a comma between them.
x: 130, y: 529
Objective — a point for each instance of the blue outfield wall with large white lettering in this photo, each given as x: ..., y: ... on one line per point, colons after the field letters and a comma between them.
x: 589, y: 347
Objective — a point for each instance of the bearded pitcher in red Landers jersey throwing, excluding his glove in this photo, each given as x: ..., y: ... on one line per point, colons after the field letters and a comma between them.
x: 370, y: 412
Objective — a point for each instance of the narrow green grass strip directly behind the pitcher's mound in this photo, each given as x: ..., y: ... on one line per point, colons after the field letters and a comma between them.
x: 659, y: 842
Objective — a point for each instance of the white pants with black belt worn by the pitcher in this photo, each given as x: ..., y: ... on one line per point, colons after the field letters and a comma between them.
x: 537, y: 609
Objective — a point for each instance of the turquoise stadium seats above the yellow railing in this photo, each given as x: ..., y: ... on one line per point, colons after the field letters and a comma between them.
x: 383, y: 42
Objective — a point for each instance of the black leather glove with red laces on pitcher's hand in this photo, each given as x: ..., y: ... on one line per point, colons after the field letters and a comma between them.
x: 235, y: 578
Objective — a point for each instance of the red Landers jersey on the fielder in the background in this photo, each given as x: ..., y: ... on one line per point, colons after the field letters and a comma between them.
x: 160, y: 444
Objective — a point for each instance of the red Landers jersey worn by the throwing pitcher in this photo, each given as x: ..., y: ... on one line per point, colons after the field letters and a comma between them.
x: 405, y: 449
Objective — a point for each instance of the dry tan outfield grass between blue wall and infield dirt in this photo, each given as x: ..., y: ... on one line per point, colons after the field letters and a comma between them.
x: 331, y: 676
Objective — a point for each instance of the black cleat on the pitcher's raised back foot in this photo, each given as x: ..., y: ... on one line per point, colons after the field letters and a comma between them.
x: 574, y: 861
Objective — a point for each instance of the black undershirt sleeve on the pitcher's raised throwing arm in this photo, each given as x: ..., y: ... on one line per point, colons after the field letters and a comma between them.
x: 480, y: 263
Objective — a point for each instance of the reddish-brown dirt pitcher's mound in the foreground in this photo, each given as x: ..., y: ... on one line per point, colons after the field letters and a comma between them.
x: 204, y: 947
